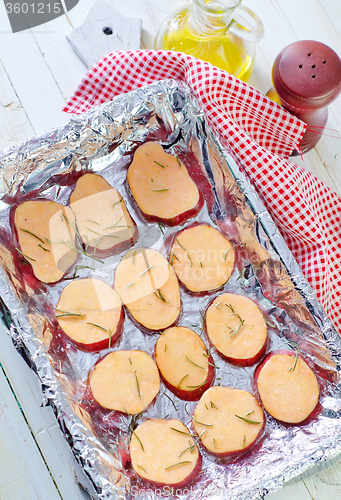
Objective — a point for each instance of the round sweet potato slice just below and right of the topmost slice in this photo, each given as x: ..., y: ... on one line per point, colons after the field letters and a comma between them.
x: 202, y: 258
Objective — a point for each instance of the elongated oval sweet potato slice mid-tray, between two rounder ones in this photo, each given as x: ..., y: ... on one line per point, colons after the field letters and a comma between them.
x: 149, y: 288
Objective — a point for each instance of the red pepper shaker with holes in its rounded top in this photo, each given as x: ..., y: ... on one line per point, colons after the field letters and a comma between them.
x: 307, y: 77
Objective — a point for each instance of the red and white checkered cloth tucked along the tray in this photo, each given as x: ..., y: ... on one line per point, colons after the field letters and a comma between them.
x: 261, y: 134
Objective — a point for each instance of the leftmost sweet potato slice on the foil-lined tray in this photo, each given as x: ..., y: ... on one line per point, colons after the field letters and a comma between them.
x: 46, y: 235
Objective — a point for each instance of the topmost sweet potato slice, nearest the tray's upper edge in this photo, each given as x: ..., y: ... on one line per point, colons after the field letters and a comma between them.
x: 162, y: 187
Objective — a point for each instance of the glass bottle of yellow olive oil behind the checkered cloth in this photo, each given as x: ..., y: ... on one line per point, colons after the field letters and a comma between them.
x: 209, y: 31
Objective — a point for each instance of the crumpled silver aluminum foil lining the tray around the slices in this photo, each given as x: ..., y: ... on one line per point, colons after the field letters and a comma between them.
x: 103, y: 141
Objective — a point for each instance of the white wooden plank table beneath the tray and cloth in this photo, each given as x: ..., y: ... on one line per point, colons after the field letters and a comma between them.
x: 38, y: 71
